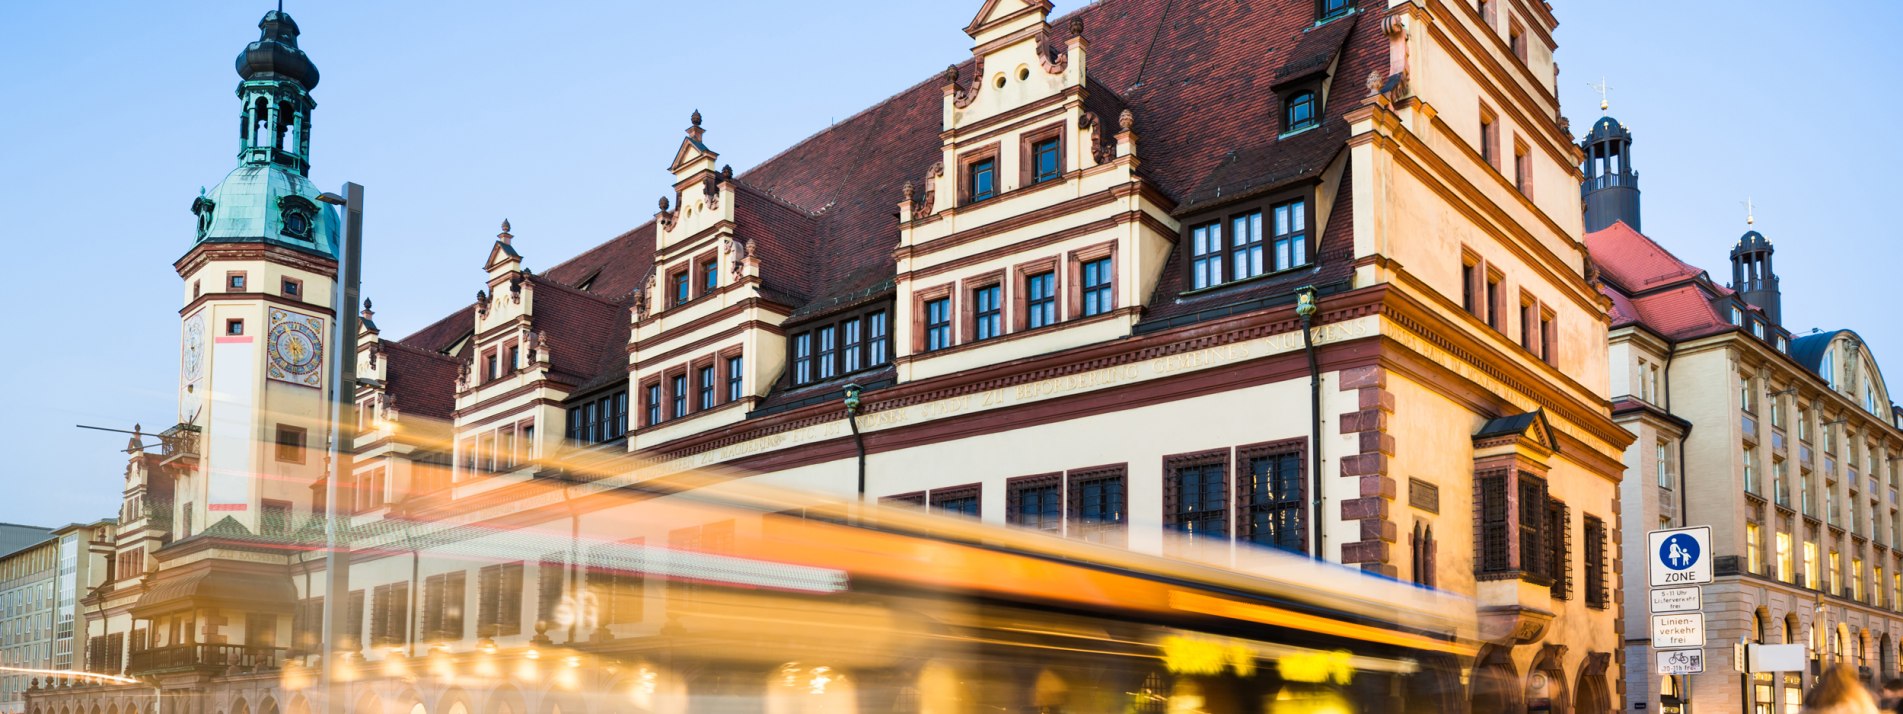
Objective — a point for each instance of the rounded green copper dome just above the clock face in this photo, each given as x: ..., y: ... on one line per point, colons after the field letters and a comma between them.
x: 267, y: 205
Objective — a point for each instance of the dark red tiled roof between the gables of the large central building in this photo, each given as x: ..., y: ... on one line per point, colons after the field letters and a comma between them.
x: 823, y: 214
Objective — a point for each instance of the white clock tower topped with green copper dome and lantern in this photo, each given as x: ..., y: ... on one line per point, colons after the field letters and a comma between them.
x: 258, y: 306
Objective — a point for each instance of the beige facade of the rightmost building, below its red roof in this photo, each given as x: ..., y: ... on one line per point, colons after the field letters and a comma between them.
x: 1822, y: 490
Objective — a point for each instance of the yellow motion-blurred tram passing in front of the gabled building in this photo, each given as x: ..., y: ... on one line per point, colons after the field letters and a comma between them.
x: 749, y: 606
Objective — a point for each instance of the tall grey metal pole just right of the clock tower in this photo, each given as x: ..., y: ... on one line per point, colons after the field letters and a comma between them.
x: 343, y: 395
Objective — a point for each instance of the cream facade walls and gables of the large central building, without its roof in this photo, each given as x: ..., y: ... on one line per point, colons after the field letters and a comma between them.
x: 1453, y: 178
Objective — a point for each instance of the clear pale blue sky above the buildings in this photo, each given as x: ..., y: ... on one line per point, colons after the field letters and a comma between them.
x: 564, y: 117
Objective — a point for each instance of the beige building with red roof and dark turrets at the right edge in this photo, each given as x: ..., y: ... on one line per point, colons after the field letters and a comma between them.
x: 1788, y: 446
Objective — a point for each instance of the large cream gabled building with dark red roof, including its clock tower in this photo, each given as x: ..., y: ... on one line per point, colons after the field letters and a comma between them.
x: 1114, y: 243
